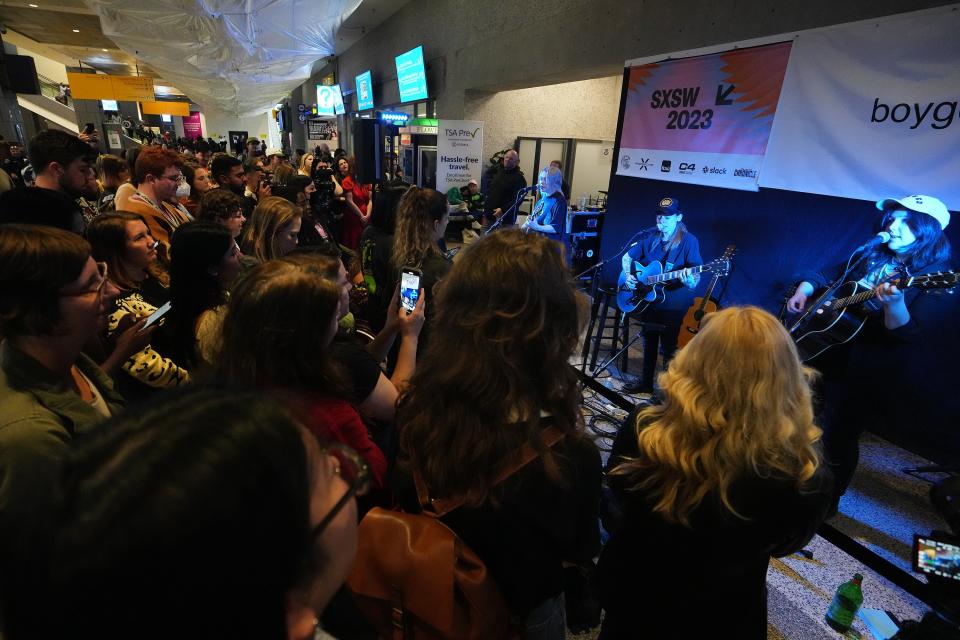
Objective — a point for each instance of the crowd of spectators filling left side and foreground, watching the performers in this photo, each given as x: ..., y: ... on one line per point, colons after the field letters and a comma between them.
x: 204, y: 473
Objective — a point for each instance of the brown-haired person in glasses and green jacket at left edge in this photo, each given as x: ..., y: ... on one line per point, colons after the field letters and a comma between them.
x: 53, y: 299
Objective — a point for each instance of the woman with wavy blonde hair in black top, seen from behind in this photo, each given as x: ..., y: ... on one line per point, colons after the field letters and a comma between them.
x: 721, y: 475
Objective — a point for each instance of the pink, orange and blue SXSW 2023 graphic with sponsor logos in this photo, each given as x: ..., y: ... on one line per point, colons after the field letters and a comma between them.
x: 703, y: 120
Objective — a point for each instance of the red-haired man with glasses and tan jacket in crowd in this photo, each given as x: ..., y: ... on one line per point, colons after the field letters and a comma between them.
x: 158, y: 176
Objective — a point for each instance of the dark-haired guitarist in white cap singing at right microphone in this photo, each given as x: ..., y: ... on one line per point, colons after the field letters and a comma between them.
x: 881, y: 378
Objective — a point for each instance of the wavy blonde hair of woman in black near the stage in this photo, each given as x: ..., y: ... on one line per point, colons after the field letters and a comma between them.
x: 736, y: 400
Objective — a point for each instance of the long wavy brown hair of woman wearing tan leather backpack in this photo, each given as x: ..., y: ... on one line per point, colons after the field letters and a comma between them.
x: 503, y: 325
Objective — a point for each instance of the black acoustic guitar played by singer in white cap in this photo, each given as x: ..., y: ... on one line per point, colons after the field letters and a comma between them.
x: 839, y: 313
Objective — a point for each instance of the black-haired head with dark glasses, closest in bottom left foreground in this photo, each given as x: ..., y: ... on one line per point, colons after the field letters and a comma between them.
x: 245, y: 526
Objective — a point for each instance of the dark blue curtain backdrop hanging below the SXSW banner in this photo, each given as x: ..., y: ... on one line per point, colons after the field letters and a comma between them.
x: 778, y: 234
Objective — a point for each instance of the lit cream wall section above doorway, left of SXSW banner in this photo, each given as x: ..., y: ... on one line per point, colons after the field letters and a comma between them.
x: 584, y: 109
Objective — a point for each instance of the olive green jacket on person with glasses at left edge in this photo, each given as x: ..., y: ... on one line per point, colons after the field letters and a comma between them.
x: 39, y: 418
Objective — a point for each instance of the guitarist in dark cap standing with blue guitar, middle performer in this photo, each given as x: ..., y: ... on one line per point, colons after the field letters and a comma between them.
x: 675, y: 248
